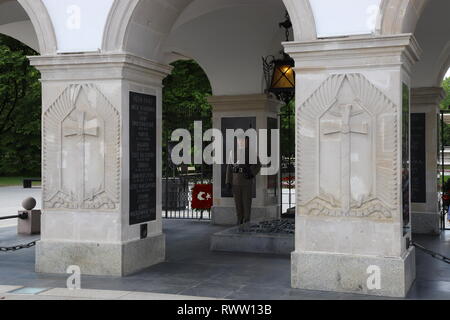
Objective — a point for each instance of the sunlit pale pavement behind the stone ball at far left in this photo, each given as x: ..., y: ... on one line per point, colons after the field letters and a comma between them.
x: 11, y: 199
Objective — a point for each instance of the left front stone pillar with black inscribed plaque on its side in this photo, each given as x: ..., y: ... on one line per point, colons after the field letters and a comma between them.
x: 101, y: 162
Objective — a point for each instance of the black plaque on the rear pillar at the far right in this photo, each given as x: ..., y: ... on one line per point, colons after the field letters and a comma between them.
x: 418, y: 158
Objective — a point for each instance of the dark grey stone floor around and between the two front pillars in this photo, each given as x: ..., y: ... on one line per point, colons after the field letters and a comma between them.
x: 192, y: 270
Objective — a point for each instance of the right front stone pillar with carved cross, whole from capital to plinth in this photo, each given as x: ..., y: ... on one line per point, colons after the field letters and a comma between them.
x: 352, y: 223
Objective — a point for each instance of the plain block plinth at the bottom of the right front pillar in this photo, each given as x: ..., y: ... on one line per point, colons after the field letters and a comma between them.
x: 348, y: 273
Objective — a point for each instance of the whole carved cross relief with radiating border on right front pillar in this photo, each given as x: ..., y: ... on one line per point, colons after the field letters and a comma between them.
x: 347, y: 155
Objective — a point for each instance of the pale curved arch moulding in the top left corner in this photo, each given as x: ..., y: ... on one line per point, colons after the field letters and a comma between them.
x: 37, y: 12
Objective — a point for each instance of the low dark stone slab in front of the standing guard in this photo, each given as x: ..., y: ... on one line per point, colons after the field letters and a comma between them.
x: 231, y: 240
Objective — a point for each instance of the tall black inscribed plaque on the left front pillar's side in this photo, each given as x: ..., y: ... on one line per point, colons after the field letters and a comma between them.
x: 142, y: 158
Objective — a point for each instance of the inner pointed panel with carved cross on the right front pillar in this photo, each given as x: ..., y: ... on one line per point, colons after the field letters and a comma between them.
x: 346, y: 152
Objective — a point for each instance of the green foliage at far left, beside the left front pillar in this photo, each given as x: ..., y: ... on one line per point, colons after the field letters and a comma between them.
x: 20, y: 110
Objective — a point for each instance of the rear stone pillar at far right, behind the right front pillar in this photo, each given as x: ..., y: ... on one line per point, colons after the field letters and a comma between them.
x: 425, y: 126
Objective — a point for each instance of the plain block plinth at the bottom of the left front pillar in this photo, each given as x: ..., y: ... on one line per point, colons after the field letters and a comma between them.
x: 101, y: 259
